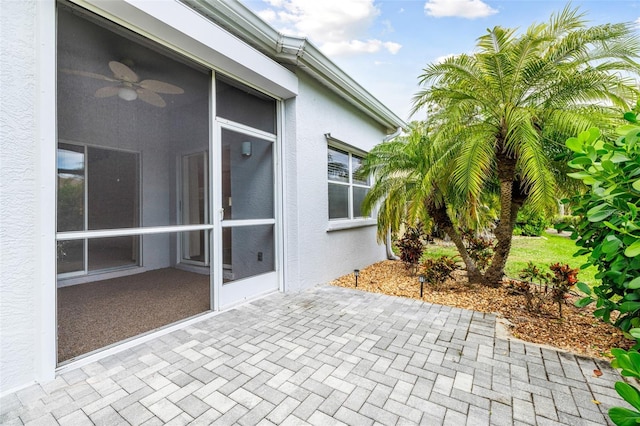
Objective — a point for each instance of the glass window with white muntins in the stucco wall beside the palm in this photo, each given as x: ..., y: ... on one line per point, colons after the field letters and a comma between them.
x: 346, y: 188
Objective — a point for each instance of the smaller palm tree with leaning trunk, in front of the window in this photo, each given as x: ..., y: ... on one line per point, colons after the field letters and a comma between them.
x: 410, y: 186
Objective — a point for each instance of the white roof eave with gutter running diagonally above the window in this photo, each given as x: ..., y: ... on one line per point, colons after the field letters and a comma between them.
x: 298, y: 51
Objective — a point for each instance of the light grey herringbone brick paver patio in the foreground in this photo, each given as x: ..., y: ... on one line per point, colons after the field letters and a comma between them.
x: 327, y: 356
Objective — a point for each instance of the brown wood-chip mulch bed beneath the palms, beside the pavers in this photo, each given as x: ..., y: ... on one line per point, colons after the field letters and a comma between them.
x: 578, y: 331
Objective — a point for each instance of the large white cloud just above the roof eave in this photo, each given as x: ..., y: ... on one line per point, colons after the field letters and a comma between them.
x: 339, y: 27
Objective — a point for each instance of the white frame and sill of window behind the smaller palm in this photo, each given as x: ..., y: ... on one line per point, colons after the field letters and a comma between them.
x: 350, y: 221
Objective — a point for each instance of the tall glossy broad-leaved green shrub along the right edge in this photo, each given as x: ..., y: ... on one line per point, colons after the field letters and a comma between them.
x: 610, y: 232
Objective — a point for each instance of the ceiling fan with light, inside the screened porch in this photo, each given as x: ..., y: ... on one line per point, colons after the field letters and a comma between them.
x: 128, y: 86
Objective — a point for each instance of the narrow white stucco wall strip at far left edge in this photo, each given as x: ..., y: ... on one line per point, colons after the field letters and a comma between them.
x: 18, y: 193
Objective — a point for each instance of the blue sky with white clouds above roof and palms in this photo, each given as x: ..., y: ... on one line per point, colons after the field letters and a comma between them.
x: 384, y: 44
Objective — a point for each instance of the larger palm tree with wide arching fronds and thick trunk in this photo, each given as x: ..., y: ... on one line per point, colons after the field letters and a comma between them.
x: 497, y: 114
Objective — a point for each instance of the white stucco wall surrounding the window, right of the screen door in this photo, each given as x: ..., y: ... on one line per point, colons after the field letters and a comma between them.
x: 314, y: 254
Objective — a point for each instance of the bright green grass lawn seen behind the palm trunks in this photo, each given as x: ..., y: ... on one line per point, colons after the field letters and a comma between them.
x: 550, y: 248
